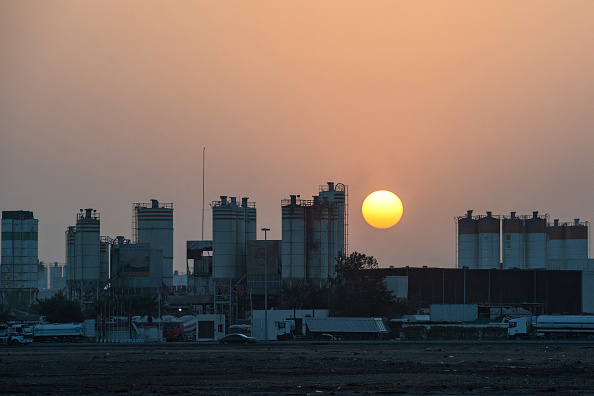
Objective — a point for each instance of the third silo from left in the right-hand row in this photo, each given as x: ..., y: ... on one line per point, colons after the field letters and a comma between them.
x: 514, y: 242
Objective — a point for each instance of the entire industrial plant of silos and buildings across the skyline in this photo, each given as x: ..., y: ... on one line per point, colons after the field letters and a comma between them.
x: 505, y: 263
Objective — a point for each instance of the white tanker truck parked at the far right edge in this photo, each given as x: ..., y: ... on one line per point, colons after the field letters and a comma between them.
x: 552, y: 326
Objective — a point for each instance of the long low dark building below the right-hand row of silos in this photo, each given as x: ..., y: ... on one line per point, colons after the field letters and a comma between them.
x: 539, y: 291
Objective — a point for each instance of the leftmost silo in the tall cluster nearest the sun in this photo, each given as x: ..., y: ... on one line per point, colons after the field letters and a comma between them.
x: 293, y: 238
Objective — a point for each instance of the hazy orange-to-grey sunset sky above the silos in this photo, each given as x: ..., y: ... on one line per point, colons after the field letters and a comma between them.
x: 452, y: 105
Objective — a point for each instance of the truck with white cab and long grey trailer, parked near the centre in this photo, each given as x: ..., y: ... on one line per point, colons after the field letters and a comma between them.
x: 331, y: 328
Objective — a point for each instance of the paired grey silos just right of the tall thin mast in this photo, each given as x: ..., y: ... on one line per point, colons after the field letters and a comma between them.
x: 232, y: 227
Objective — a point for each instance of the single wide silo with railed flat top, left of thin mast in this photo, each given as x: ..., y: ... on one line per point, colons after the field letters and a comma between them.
x: 154, y: 225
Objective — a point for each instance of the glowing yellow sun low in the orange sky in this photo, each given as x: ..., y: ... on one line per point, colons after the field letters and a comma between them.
x: 382, y: 209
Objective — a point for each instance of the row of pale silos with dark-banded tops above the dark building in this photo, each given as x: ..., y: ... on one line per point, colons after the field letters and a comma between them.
x: 519, y: 242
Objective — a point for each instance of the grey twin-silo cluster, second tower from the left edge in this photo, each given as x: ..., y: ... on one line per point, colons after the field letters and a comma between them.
x: 83, y: 252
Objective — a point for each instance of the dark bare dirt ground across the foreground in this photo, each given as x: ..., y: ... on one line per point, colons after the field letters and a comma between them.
x: 333, y: 368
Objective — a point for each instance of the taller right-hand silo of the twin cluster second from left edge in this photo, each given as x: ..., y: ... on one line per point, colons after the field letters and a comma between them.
x: 86, y: 246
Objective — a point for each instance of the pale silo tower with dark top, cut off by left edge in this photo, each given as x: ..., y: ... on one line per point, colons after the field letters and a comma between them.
x: 18, y: 282
